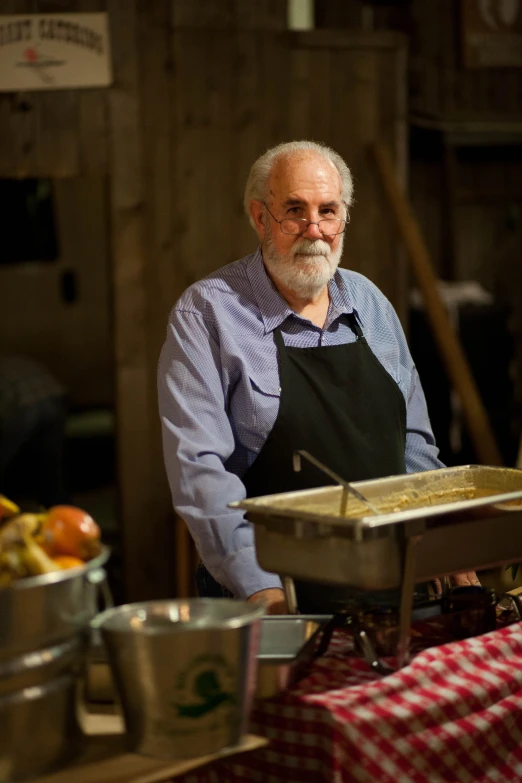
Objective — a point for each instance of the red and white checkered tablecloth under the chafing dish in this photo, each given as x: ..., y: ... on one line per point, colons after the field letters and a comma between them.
x: 453, y: 715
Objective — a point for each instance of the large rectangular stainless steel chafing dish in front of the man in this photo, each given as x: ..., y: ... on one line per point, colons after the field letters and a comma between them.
x: 397, y: 549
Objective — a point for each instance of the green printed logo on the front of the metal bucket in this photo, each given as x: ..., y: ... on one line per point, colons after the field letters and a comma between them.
x: 206, y: 684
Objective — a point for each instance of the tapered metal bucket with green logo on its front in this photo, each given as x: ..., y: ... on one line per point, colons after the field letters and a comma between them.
x: 184, y: 672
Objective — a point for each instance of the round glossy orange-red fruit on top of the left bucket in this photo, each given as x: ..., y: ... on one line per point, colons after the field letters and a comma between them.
x: 67, y: 530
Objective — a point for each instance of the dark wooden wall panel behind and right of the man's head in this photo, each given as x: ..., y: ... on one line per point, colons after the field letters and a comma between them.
x: 356, y: 96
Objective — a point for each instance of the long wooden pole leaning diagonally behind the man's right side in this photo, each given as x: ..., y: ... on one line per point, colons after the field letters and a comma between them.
x: 448, y: 344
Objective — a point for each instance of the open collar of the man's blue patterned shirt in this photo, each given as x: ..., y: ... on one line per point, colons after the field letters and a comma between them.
x: 275, y: 310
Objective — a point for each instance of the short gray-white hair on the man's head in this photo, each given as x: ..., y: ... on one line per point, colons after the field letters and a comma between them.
x: 256, y: 187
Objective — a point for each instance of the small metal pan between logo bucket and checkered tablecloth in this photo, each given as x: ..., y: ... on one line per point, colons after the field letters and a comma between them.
x: 286, y: 647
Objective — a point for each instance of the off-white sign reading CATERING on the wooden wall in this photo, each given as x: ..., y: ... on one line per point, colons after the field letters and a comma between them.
x: 54, y: 51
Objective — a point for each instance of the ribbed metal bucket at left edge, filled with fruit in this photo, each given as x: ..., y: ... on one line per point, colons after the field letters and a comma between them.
x: 44, y: 634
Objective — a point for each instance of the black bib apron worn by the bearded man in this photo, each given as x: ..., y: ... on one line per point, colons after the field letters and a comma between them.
x: 339, y: 404
